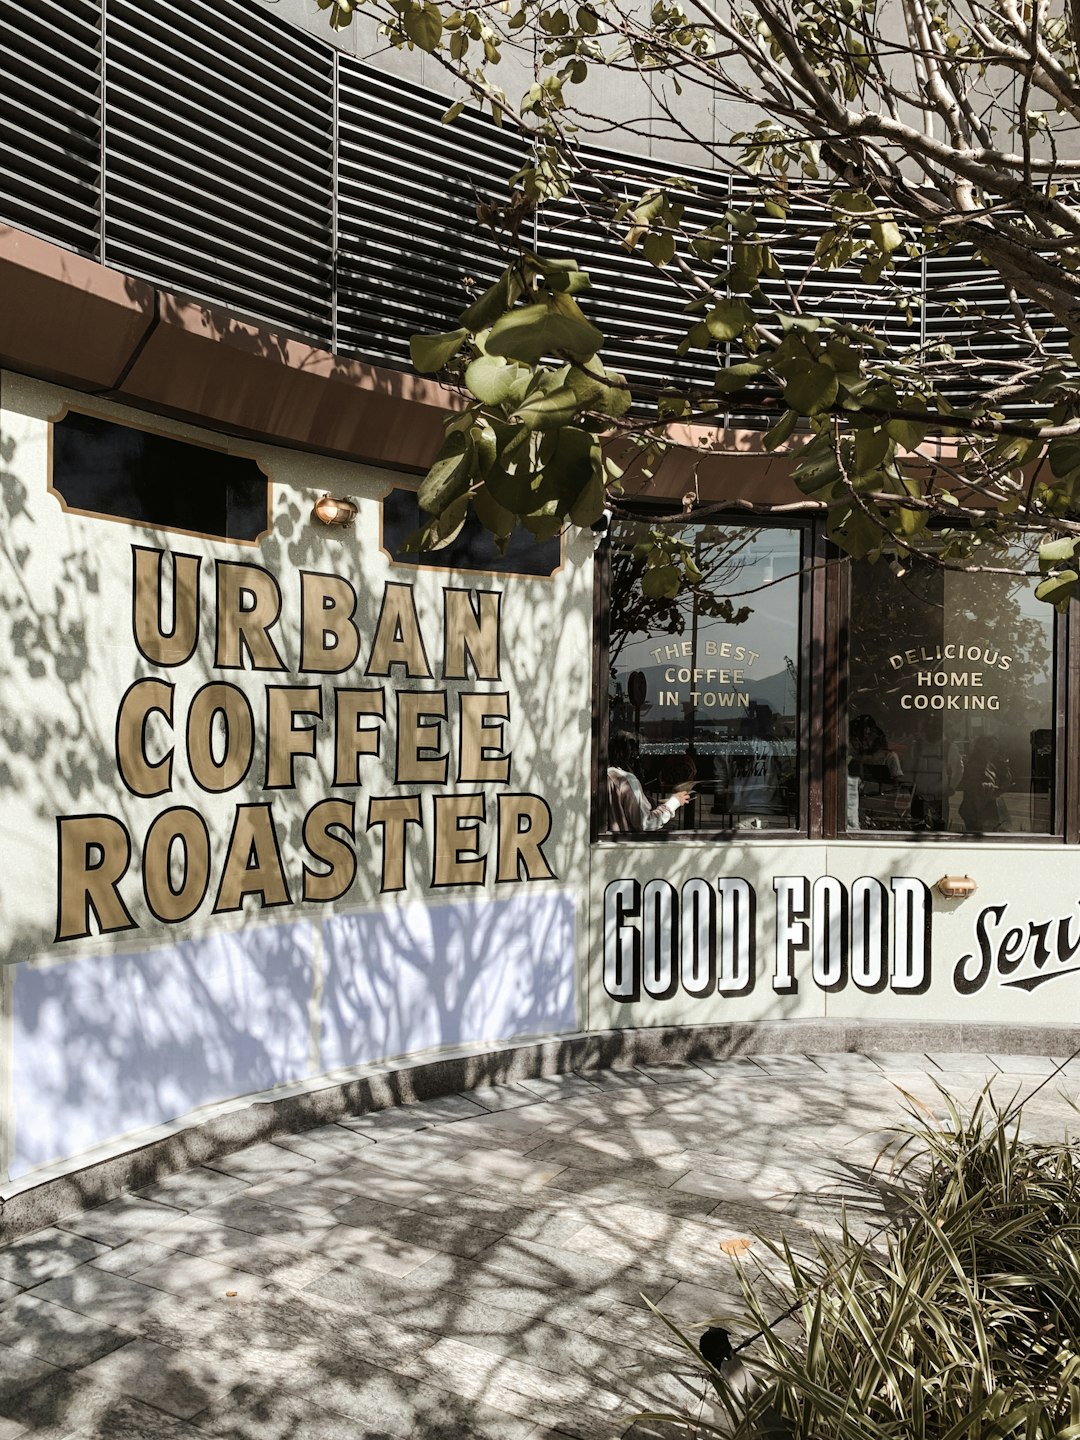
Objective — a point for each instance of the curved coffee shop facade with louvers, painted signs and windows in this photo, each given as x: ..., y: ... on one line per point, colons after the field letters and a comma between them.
x: 282, y: 801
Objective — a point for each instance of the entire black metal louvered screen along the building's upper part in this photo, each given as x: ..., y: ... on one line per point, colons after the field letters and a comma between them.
x: 254, y: 166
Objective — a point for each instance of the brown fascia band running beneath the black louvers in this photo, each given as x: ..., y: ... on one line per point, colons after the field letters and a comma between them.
x: 76, y: 323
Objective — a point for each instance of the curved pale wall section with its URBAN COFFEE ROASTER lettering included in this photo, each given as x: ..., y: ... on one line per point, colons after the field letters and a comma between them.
x: 339, y: 902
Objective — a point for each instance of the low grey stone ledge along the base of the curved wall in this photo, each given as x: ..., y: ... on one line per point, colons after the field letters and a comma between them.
x: 90, y: 1180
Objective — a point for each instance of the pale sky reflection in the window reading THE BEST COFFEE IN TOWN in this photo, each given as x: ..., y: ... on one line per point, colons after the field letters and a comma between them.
x: 738, y: 564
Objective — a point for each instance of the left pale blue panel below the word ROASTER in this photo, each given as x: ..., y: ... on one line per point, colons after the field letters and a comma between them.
x: 110, y: 1045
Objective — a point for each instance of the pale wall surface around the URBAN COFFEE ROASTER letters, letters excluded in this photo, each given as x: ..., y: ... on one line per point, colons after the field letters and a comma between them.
x: 114, y: 1033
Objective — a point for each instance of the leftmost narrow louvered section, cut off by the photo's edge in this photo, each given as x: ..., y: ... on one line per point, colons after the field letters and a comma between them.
x: 50, y: 129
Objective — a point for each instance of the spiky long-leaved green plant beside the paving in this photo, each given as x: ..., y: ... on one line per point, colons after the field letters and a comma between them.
x: 958, y: 1321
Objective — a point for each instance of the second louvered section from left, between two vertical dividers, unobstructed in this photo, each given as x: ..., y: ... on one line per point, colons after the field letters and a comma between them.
x: 220, y: 158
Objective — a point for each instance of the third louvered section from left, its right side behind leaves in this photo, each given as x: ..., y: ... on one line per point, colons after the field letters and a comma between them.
x: 413, y: 253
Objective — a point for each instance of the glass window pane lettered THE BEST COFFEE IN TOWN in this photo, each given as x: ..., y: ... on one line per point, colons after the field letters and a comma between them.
x: 705, y: 689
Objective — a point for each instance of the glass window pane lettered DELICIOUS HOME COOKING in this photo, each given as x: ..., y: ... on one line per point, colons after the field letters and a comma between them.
x: 951, y: 703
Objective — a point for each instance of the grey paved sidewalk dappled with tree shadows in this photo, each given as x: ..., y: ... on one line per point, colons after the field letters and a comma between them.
x: 466, y: 1268
